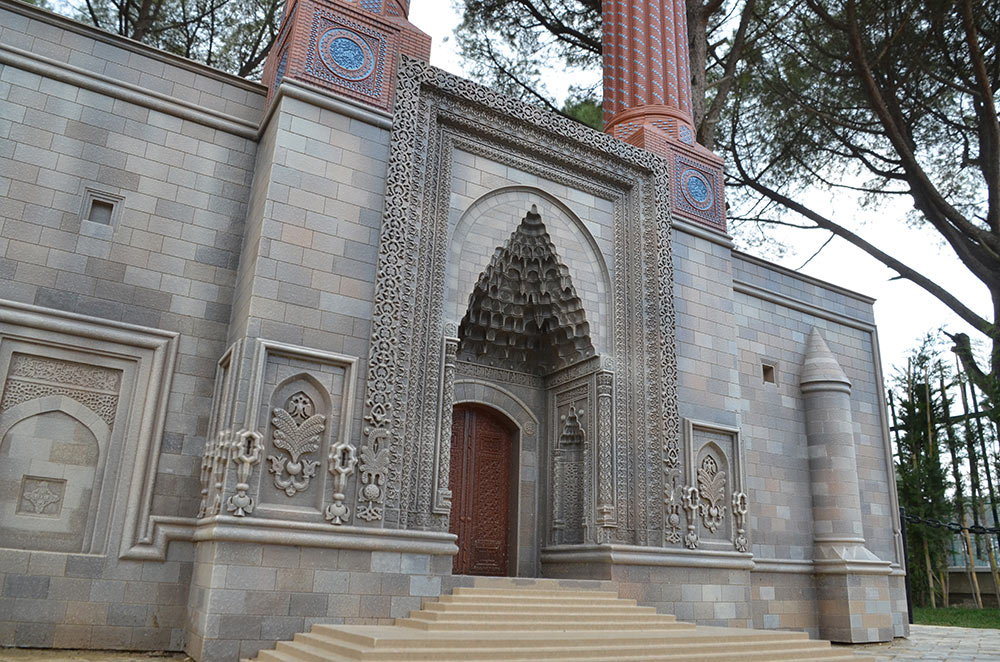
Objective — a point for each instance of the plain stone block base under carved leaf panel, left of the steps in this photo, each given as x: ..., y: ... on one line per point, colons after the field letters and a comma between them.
x: 246, y: 596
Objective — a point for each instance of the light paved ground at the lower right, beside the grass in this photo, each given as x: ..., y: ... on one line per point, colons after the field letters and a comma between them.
x: 932, y: 643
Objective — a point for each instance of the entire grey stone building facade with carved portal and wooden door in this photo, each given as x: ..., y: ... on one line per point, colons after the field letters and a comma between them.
x: 316, y: 349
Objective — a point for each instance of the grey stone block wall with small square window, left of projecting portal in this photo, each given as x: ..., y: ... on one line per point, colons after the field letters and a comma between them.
x: 167, y: 146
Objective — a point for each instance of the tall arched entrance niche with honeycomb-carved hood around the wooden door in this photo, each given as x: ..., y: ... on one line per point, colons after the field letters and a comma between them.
x: 523, y: 279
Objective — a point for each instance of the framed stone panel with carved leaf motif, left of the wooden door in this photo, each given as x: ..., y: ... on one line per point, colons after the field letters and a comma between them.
x: 299, y: 419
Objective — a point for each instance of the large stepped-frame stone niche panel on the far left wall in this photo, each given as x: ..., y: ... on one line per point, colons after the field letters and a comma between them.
x: 80, y: 414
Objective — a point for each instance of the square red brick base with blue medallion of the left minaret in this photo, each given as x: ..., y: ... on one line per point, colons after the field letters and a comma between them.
x: 350, y: 47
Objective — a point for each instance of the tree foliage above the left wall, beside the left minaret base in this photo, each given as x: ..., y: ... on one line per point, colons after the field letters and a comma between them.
x: 227, y: 34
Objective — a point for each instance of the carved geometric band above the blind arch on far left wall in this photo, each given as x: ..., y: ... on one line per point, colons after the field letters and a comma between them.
x: 33, y: 377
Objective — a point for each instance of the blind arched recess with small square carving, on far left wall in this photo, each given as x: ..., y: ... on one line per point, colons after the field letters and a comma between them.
x: 54, y: 451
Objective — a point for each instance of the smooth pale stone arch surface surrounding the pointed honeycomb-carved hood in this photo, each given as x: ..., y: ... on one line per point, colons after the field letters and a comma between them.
x: 487, y: 225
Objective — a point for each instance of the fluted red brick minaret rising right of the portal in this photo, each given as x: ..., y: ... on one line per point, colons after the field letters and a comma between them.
x: 647, y: 100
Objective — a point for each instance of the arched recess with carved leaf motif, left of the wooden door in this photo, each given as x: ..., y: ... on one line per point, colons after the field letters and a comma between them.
x: 299, y: 422
